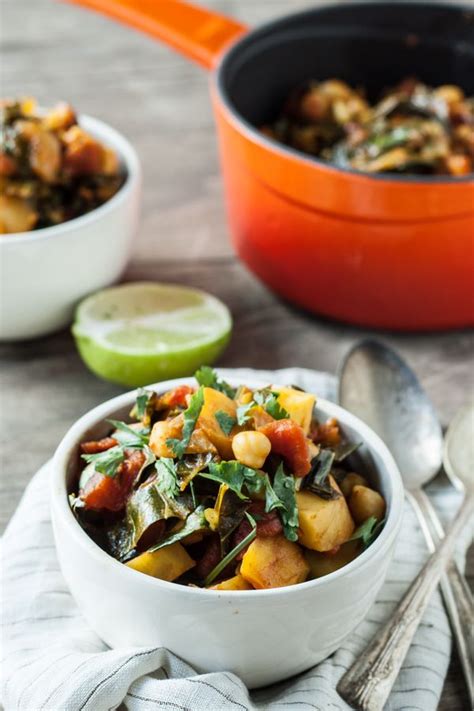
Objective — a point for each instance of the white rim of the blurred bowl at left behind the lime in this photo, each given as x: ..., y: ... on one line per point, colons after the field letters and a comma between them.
x: 128, y: 156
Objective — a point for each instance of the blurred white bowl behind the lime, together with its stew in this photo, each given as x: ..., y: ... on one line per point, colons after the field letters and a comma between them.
x: 73, y: 235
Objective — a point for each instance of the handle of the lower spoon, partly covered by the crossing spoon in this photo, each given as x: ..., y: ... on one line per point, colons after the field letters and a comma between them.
x: 456, y: 593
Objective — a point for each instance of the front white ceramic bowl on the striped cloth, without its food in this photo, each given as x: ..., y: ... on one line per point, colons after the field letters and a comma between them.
x: 263, y: 636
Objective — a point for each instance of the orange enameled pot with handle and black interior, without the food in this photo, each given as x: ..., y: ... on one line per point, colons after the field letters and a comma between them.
x: 385, y: 251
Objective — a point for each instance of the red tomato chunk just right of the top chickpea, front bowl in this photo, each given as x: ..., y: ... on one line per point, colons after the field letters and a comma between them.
x: 289, y: 440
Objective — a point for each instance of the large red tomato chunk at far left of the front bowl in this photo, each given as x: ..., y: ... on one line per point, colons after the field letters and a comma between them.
x: 111, y: 493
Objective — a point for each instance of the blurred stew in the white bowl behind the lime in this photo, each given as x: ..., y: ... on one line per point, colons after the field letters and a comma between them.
x: 51, y: 169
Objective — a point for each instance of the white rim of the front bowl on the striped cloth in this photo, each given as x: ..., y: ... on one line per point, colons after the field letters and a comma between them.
x: 60, y: 502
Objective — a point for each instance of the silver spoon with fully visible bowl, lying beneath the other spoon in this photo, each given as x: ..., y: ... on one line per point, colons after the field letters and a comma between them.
x: 381, y: 389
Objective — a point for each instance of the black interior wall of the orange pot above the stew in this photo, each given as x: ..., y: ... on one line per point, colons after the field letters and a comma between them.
x: 374, y: 45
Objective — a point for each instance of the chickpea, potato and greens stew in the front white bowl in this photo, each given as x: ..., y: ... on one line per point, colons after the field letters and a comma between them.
x: 226, y: 488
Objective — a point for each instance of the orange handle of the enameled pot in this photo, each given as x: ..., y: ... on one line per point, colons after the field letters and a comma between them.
x: 195, y: 32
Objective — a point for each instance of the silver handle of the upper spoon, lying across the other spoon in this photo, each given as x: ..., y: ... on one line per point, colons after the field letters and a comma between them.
x: 367, y: 684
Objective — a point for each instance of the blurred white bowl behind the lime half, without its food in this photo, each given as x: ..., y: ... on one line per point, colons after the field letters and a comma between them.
x: 45, y: 272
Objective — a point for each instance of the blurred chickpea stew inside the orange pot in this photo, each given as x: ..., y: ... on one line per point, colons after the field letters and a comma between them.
x: 412, y: 129
